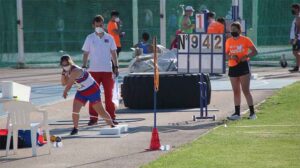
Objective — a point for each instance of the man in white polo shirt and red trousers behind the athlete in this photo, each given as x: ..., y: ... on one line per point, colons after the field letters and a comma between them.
x: 100, y: 48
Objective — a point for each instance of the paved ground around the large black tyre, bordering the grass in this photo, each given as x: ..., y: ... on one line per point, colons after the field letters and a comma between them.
x: 175, y: 126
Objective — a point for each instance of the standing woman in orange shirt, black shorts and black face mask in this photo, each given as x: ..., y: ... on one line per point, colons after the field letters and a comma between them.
x: 237, y: 50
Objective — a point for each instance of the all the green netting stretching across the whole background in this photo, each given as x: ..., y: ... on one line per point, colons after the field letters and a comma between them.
x: 54, y: 25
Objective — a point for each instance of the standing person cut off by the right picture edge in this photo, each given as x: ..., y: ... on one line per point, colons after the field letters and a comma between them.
x: 294, y: 37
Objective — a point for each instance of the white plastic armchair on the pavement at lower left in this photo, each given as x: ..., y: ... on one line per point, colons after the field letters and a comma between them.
x: 19, y: 119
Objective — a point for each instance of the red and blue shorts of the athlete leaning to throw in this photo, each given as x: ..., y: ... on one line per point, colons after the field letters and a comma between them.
x: 91, y: 94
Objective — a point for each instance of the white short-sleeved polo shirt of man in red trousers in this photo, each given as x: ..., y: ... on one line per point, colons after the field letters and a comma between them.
x: 99, y: 52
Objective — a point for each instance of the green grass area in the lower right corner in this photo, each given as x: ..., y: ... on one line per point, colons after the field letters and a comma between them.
x: 273, y: 140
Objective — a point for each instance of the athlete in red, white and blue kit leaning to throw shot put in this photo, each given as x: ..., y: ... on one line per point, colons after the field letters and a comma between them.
x: 87, y: 90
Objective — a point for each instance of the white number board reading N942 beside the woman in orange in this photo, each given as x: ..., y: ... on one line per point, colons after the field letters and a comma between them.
x: 201, y: 53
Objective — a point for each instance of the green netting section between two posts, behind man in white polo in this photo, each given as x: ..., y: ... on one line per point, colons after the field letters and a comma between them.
x: 63, y: 24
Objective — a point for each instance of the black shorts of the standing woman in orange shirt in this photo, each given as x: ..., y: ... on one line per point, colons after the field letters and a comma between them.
x: 240, y: 69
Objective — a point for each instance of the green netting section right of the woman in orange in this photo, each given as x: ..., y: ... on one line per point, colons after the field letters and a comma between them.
x: 273, y: 19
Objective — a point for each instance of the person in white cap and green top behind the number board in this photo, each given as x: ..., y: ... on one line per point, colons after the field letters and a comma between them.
x: 185, y: 24
